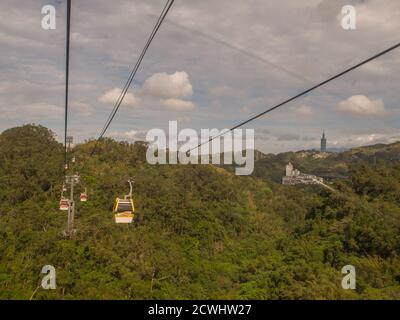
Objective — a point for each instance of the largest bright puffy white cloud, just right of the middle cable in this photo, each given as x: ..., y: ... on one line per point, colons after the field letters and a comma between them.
x: 168, y: 86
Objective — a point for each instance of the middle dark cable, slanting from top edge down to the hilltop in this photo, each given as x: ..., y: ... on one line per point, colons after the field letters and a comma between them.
x: 157, y: 26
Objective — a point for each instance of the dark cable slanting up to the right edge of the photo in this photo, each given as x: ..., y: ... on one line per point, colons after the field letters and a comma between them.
x: 301, y: 94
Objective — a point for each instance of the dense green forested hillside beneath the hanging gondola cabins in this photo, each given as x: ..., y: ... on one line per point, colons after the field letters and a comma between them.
x: 200, y: 233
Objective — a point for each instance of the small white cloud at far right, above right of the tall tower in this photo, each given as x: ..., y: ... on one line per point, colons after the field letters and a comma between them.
x: 362, y: 105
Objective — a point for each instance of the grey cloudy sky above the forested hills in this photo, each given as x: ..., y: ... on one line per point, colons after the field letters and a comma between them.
x: 213, y: 64
